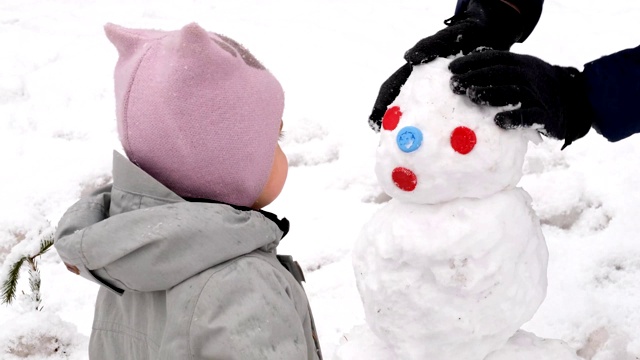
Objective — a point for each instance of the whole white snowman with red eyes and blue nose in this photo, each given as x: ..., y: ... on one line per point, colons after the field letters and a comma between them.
x: 455, y: 263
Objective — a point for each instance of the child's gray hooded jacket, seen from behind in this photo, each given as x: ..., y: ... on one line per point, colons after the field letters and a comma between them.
x: 182, y: 280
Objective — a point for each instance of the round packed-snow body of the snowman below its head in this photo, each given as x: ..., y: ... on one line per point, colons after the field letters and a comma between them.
x: 453, y: 280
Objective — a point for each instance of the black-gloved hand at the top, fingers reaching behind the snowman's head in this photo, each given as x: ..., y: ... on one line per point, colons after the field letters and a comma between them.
x: 490, y: 23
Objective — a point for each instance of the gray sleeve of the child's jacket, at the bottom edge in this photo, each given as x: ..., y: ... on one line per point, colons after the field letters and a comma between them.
x: 249, y: 311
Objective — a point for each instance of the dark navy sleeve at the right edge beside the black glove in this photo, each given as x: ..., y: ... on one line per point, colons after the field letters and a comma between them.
x: 613, y: 87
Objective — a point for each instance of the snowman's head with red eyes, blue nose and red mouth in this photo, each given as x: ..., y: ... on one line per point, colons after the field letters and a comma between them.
x: 436, y: 146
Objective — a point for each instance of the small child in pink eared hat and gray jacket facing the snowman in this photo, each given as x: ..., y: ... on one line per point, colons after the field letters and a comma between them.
x: 185, y: 258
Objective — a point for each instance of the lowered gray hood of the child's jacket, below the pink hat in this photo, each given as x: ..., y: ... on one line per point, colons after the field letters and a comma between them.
x: 137, y: 235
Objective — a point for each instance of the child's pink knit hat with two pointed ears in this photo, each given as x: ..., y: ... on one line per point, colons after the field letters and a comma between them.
x: 196, y: 111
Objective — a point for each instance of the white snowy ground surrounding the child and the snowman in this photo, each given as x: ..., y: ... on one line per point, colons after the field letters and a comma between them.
x: 57, y: 132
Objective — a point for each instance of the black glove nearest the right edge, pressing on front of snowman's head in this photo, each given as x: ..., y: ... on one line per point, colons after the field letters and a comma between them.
x: 553, y: 97
